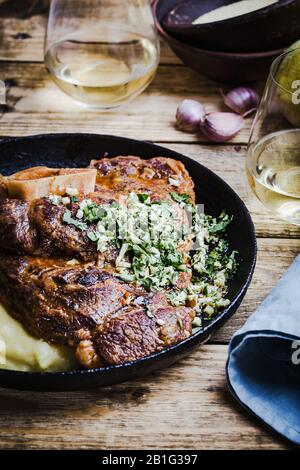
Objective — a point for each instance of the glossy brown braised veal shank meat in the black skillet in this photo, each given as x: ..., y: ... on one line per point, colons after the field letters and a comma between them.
x: 52, y: 282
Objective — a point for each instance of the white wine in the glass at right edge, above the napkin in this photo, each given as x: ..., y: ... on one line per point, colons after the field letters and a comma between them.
x: 273, y: 168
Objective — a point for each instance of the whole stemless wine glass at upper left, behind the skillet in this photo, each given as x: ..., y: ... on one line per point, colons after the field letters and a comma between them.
x: 101, y: 52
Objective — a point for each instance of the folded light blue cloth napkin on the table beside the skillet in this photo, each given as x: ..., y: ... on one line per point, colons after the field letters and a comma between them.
x: 263, y: 367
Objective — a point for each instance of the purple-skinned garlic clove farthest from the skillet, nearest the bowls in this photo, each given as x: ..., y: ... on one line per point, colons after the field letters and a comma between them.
x: 242, y: 100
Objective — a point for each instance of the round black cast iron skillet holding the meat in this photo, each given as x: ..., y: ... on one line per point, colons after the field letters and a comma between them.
x: 76, y: 150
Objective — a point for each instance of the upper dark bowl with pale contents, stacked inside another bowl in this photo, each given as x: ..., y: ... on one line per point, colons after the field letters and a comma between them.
x: 272, y: 27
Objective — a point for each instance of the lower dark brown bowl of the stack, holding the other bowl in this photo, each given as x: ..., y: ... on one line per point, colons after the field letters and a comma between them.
x: 220, y: 66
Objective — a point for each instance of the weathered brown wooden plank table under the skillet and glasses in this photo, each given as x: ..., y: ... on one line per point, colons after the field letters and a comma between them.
x: 188, y: 405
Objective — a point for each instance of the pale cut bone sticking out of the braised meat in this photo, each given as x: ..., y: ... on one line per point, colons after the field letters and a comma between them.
x: 38, y: 182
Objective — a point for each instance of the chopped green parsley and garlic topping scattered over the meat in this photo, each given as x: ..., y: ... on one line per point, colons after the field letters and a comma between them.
x: 151, y: 235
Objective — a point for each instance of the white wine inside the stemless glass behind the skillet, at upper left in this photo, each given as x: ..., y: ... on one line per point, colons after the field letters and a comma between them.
x: 102, y: 74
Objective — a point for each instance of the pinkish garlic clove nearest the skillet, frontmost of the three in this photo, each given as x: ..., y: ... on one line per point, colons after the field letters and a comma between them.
x: 221, y: 127
